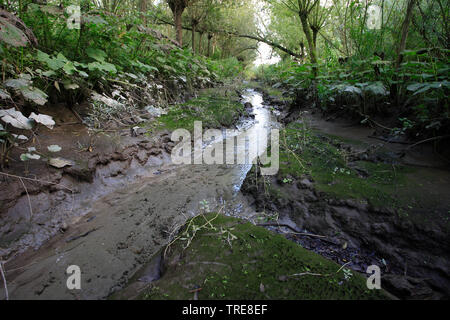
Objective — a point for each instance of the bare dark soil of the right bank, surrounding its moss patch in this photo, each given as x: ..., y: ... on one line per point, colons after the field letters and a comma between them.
x: 410, y: 244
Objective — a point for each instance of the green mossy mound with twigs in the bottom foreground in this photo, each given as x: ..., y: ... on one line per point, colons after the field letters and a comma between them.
x: 233, y: 259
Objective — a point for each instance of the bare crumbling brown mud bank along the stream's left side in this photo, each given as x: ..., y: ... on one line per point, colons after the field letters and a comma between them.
x: 50, y: 199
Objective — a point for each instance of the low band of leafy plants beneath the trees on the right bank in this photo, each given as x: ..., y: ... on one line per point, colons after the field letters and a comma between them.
x: 364, y: 88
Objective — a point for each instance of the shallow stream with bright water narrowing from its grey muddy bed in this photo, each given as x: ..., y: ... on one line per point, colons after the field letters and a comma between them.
x: 125, y: 228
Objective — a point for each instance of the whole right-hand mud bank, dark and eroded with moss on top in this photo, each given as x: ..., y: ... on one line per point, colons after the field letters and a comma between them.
x: 361, y: 205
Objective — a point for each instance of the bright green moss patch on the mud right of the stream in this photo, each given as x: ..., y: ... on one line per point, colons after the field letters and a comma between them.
x: 318, y: 157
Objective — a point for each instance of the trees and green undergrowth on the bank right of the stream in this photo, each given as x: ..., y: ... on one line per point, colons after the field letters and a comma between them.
x: 366, y: 59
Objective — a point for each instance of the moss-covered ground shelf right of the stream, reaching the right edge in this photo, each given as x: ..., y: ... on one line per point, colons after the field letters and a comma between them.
x: 333, y: 169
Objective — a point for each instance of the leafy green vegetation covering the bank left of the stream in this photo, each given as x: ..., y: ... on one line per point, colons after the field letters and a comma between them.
x: 118, y: 58
